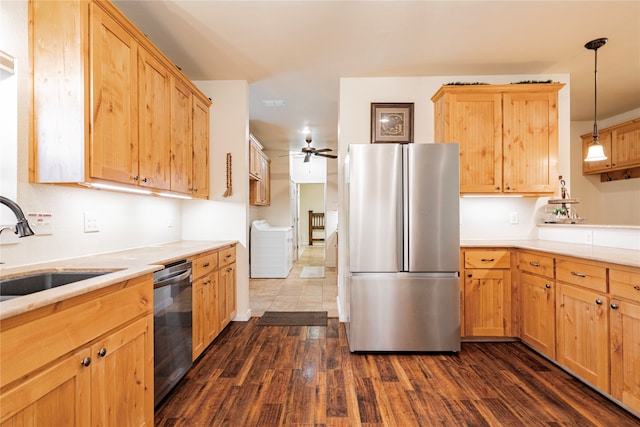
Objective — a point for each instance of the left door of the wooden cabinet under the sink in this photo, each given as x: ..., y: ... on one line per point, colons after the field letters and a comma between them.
x: 58, y: 396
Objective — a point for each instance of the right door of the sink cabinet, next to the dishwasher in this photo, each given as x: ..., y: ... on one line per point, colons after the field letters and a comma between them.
x: 122, y: 376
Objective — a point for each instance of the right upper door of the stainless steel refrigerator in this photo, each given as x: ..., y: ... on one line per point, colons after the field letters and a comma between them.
x: 433, y: 207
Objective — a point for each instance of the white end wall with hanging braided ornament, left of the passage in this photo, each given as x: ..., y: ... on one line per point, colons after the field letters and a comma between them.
x: 226, y: 218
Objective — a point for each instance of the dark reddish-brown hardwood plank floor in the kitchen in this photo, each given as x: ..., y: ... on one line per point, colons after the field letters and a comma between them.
x: 305, y: 376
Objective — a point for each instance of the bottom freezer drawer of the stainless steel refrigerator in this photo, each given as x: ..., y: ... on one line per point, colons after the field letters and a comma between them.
x: 404, y: 312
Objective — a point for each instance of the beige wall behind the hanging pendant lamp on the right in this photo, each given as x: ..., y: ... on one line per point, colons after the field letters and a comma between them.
x: 611, y: 203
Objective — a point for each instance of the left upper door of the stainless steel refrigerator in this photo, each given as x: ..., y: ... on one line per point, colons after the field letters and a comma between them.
x: 375, y: 207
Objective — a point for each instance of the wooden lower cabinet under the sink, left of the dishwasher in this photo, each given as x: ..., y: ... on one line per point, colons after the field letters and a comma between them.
x: 48, y: 379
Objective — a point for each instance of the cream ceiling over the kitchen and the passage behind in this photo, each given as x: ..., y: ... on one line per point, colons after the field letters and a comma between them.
x: 296, y: 51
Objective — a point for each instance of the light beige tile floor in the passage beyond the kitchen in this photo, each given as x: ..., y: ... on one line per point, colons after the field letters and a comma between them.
x: 295, y: 293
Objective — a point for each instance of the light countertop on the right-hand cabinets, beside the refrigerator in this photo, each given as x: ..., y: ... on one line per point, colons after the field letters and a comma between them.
x: 626, y: 257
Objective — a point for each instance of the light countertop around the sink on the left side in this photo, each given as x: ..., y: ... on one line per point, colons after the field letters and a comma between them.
x: 126, y: 264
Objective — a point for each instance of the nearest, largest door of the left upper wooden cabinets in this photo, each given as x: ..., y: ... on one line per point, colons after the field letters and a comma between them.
x: 113, y: 153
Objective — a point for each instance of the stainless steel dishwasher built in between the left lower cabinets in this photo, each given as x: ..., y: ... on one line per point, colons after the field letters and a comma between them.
x: 172, y: 329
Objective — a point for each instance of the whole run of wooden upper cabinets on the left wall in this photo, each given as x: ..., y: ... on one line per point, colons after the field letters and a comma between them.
x: 121, y: 100
